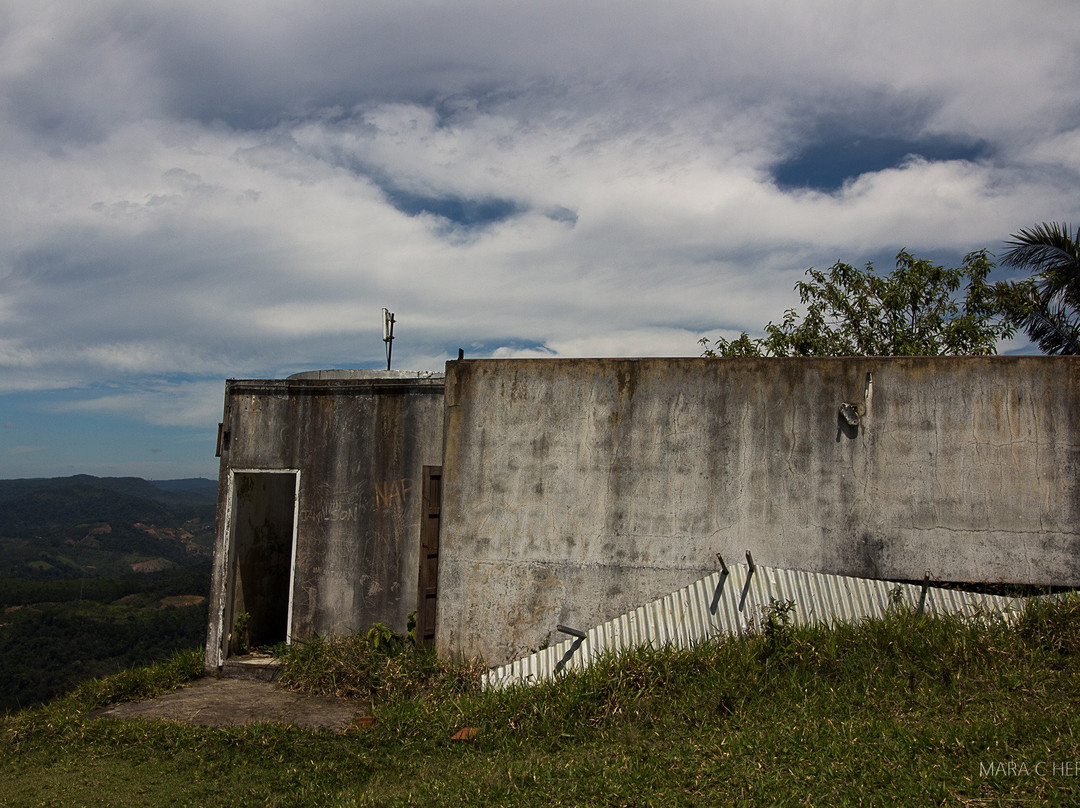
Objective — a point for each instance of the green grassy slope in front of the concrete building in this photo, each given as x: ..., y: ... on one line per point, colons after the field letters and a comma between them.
x: 910, y: 710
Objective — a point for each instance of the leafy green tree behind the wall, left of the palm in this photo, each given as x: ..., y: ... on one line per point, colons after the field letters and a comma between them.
x: 916, y: 311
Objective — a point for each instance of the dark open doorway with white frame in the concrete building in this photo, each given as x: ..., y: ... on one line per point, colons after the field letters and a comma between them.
x: 261, y: 547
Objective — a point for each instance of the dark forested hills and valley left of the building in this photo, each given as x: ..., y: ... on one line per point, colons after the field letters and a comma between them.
x: 97, y: 575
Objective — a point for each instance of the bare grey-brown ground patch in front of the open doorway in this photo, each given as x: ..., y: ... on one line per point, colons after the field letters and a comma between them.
x: 224, y: 703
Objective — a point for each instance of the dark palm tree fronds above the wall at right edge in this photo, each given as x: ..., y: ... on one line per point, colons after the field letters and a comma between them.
x: 1052, y: 313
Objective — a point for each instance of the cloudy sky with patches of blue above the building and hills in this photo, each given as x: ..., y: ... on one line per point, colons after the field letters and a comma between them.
x: 195, y: 192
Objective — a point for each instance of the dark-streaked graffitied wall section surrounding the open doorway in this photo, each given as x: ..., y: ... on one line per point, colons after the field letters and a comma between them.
x: 359, y: 441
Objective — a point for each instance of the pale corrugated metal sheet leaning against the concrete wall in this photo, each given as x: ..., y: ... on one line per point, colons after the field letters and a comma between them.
x: 734, y: 602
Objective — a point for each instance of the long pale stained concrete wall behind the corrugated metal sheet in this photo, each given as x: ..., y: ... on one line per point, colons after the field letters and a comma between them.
x: 576, y: 490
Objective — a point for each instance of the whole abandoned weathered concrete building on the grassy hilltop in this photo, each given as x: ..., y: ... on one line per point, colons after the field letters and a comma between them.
x: 505, y: 497
